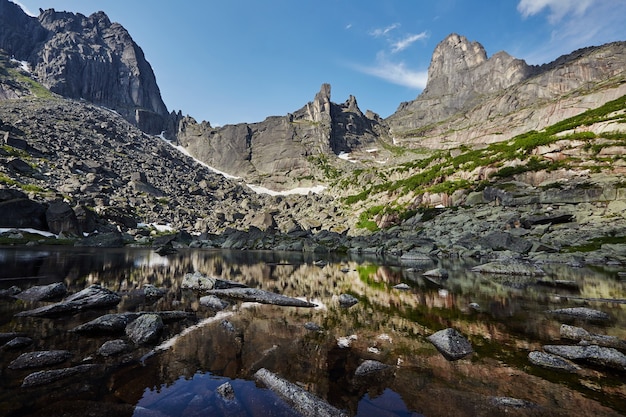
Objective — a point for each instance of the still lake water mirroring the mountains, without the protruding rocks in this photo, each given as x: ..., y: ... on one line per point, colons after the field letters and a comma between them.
x: 503, y: 317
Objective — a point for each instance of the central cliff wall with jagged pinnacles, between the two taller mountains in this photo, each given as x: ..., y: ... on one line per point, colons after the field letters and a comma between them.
x: 284, y: 151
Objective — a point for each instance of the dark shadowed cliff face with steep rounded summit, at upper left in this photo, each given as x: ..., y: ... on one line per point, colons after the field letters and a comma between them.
x: 86, y: 58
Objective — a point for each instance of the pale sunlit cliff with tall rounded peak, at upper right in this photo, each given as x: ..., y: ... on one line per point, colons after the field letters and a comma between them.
x: 472, y: 99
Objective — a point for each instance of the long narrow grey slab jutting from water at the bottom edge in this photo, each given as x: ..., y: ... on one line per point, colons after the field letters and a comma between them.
x: 303, y: 401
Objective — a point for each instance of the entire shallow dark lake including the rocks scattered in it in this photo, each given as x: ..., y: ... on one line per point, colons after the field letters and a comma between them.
x: 361, y: 344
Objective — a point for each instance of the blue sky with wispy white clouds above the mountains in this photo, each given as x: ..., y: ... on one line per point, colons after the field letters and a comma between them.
x: 243, y: 60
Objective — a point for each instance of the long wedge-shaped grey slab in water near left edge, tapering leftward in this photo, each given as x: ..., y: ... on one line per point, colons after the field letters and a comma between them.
x: 94, y: 296
